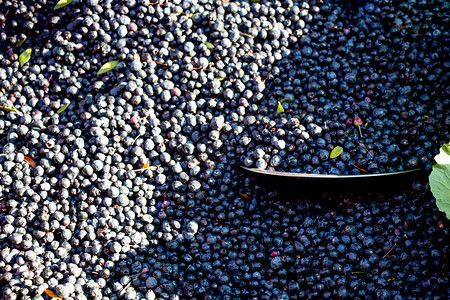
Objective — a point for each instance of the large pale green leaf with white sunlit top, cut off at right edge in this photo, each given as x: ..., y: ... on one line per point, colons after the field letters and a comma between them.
x: 440, y: 180
